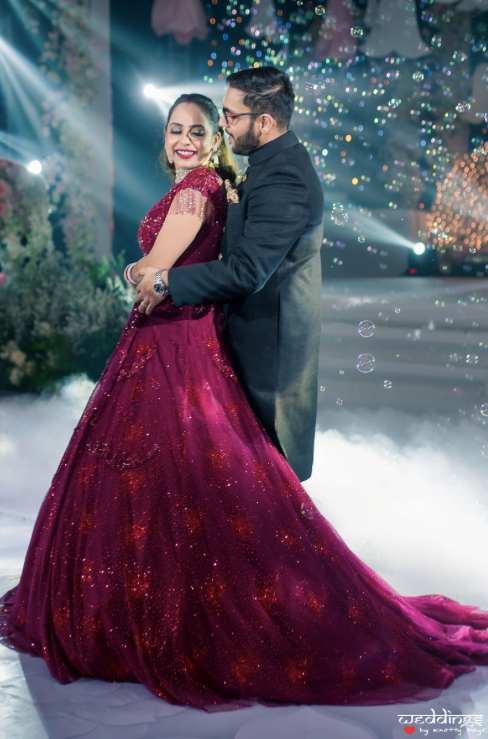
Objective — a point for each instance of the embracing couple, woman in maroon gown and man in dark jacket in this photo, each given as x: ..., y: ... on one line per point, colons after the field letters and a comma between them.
x: 176, y: 547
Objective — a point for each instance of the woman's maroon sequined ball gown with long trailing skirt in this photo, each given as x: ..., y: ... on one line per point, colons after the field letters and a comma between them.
x: 177, y: 549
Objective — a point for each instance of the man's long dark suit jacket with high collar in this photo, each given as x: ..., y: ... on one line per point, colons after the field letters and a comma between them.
x: 270, y: 276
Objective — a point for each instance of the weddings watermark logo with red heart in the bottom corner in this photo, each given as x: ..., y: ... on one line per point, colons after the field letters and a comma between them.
x: 445, y: 722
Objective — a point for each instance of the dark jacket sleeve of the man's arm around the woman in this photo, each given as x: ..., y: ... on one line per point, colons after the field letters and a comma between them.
x: 278, y: 213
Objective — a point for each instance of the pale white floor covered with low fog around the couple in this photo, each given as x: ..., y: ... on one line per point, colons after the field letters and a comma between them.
x: 400, y: 472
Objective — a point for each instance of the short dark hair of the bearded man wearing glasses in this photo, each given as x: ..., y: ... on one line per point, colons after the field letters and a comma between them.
x: 266, y: 89
